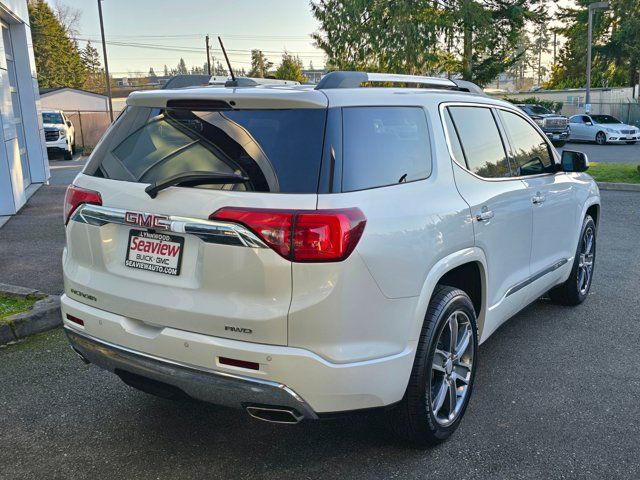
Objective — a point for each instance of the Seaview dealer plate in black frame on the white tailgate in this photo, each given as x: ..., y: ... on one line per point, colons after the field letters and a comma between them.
x: 152, y: 264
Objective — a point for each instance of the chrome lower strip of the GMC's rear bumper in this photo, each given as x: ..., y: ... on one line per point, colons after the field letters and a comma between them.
x: 207, y: 385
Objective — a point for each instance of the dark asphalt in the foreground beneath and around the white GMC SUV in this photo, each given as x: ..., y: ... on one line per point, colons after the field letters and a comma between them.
x: 556, y: 397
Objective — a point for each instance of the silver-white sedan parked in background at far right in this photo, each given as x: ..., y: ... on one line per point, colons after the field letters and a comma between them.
x: 602, y: 129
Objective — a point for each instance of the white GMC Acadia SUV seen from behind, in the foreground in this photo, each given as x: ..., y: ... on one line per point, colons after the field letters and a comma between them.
x: 301, y: 252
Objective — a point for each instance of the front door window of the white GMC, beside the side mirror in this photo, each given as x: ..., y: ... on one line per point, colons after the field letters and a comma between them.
x: 529, y: 151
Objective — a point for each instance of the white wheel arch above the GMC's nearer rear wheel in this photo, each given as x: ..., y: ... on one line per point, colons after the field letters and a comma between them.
x: 466, y: 270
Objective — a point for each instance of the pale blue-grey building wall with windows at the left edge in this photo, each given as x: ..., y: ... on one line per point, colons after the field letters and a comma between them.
x: 23, y: 158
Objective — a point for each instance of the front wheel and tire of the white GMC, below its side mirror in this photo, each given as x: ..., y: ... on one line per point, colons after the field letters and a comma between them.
x: 576, y: 288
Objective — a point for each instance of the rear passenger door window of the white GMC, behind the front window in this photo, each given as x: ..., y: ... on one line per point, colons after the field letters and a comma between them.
x: 481, y: 142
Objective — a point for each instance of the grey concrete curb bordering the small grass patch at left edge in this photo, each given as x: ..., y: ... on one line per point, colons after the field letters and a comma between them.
x: 44, y: 315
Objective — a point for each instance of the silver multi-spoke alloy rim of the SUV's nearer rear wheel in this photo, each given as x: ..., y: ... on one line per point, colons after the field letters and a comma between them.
x: 451, y: 368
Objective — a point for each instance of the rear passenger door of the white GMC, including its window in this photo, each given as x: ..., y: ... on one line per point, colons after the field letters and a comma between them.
x: 500, y: 206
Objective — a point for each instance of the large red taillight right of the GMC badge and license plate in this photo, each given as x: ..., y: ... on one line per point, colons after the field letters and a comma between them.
x: 302, y: 235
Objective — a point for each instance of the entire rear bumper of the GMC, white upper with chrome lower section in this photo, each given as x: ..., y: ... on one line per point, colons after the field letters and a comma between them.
x: 288, y: 376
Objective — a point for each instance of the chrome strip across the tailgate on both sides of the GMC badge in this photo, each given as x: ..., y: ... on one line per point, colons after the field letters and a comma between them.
x: 211, y: 231
